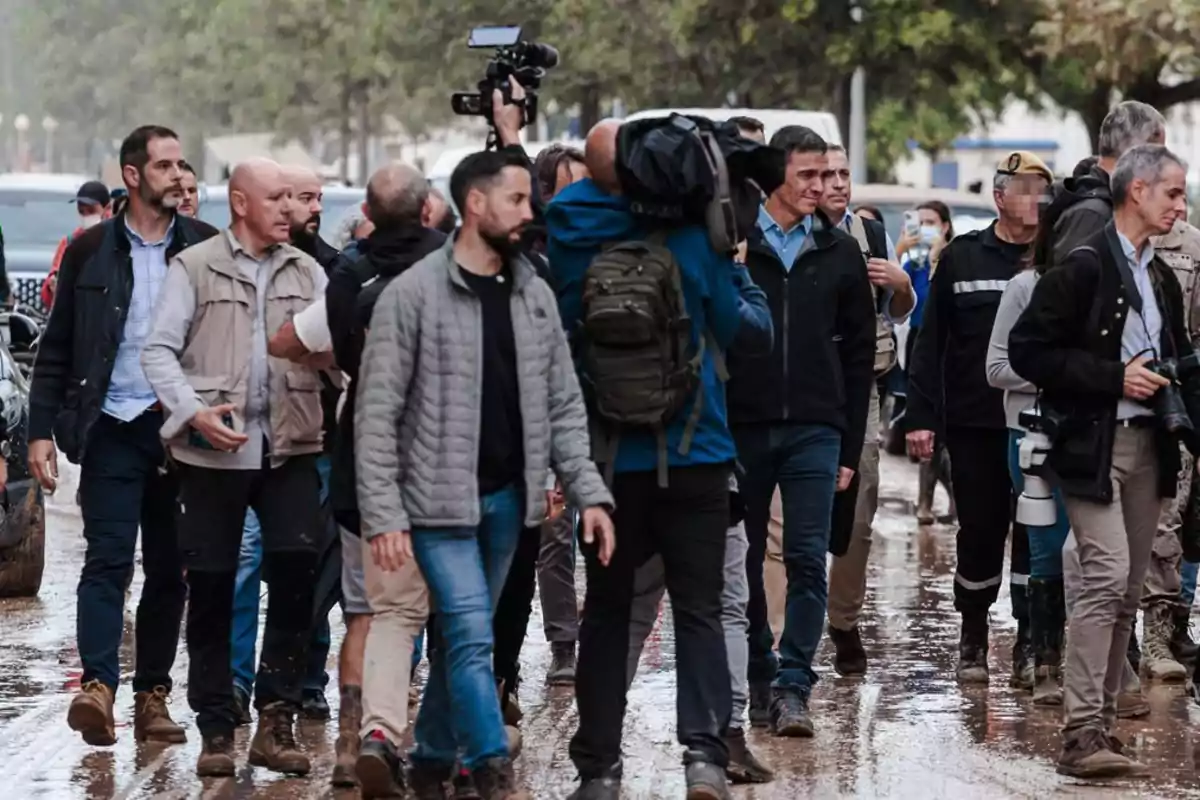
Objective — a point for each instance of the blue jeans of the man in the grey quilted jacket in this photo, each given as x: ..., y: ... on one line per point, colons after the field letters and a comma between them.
x: 466, y: 569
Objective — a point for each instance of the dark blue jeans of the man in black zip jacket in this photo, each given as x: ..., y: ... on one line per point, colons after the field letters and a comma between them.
x: 802, y: 460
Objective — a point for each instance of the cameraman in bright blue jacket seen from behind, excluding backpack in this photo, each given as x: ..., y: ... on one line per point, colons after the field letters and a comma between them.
x: 686, y: 520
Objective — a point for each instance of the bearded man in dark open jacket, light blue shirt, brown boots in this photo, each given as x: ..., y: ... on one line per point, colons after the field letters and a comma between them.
x: 92, y: 398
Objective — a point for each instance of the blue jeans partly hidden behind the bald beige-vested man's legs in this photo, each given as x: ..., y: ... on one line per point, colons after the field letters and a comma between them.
x: 248, y: 597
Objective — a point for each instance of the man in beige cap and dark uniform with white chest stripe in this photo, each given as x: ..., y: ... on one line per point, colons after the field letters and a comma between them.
x: 950, y: 398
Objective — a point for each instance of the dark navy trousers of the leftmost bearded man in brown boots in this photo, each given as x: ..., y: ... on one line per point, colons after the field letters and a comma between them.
x: 125, y: 486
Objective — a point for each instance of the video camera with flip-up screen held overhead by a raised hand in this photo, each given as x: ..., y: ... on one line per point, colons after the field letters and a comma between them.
x: 526, y: 62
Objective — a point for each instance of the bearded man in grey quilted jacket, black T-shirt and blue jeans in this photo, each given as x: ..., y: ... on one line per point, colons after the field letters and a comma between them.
x: 467, y: 395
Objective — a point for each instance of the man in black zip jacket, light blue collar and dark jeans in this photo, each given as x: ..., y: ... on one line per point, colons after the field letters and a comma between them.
x: 799, y: 416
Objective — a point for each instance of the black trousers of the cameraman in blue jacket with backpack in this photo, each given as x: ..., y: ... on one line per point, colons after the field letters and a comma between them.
x: 686, y: 524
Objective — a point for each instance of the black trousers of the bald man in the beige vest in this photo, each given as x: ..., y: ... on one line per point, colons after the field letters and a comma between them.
x: 213, y: 508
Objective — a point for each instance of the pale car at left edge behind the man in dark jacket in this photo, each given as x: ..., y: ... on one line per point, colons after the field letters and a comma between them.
x: 37, y: 212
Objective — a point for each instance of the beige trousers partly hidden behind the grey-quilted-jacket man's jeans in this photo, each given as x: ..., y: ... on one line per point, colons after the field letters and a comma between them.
x: 400, y: 607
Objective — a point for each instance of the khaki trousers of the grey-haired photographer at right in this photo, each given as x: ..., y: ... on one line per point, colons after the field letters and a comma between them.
x: 1114, y: 546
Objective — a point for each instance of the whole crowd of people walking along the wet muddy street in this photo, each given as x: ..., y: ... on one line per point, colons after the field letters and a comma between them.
x: 427, y: 420
